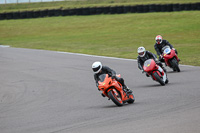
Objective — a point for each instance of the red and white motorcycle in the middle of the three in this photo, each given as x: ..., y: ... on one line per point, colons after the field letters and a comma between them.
x: 155, y: 71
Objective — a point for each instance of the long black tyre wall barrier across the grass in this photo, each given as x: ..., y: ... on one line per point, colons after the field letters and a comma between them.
x: 101, y: 10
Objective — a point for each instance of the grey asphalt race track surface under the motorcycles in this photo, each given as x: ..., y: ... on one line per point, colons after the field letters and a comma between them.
x: 54, y: 92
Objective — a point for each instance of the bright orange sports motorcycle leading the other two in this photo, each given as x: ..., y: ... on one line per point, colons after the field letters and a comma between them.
x: 114, y: 90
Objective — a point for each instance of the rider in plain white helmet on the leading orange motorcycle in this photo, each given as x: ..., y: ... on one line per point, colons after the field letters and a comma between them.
x: 99, y: 69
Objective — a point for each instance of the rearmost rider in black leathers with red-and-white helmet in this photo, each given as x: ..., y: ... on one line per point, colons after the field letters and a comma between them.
x: 160, y: 43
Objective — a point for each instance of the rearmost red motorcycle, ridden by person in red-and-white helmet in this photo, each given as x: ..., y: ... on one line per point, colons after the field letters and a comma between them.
x: 171, y: 58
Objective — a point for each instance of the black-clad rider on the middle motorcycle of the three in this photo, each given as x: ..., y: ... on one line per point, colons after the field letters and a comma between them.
x: 144, y: 55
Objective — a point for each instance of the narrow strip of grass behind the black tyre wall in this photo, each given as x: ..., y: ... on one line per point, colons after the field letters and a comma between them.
x: 83, y: 3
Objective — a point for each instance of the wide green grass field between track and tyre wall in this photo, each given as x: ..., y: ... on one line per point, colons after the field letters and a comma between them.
x: 107, y: 35
